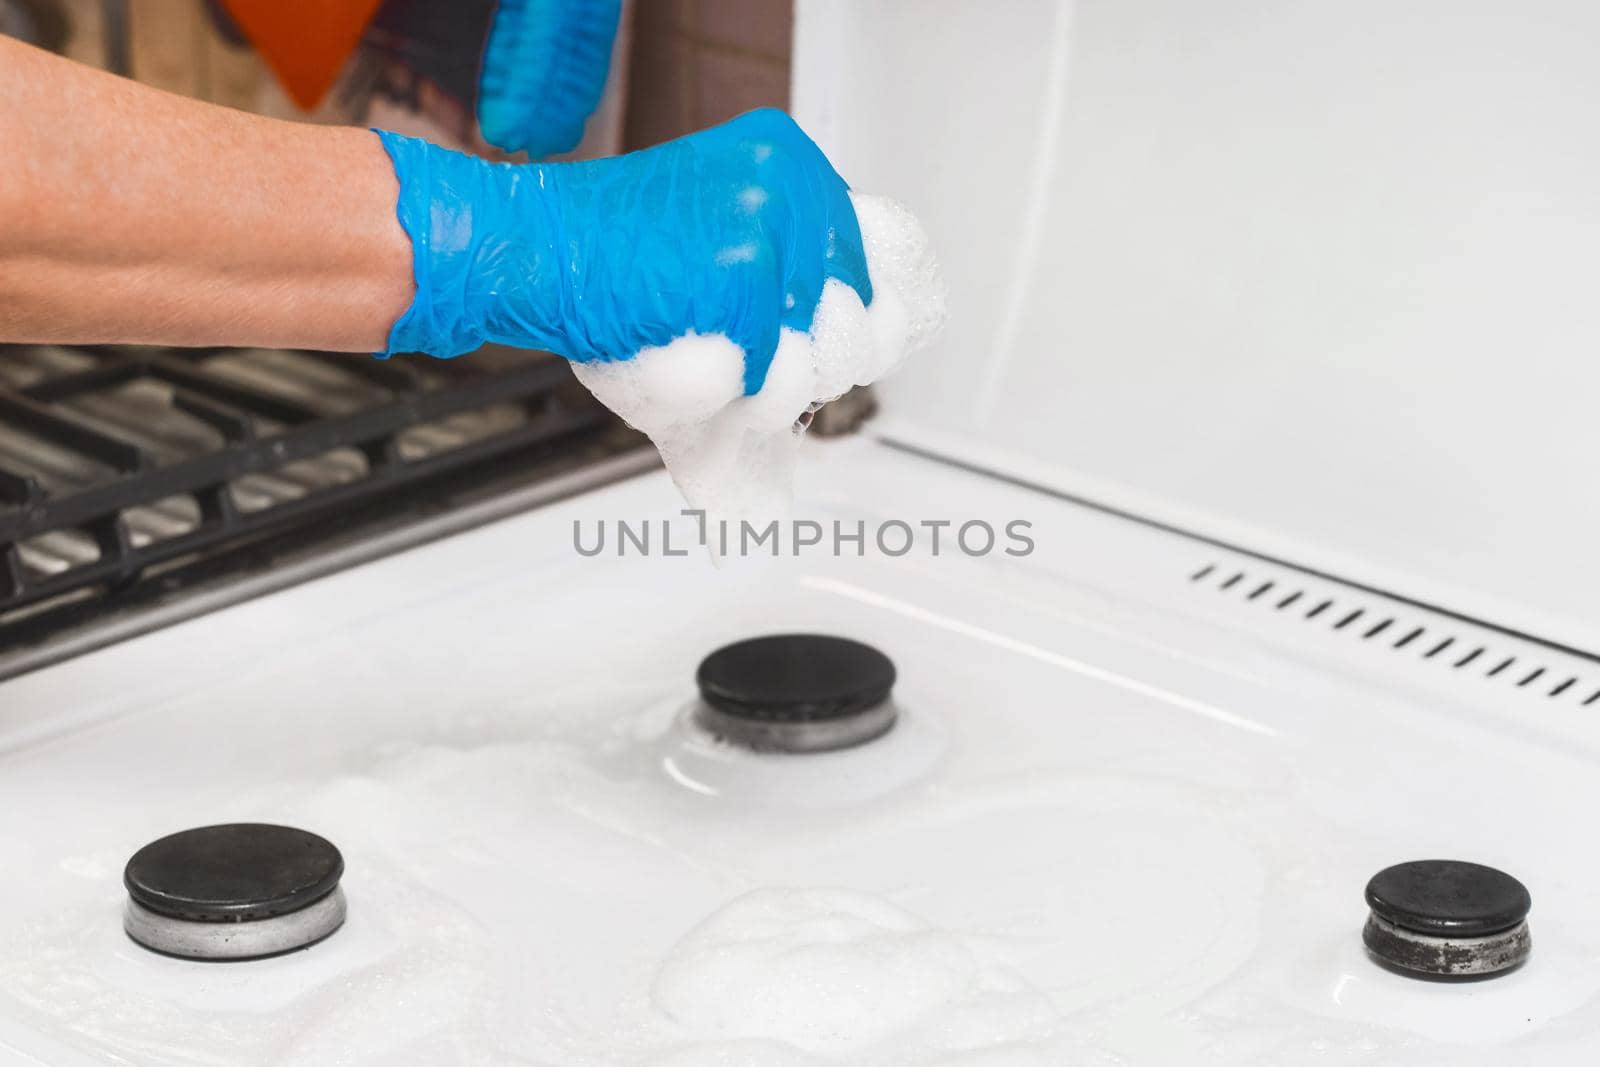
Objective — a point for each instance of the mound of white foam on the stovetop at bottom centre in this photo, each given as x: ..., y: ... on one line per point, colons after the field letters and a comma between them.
x: 847, y: 978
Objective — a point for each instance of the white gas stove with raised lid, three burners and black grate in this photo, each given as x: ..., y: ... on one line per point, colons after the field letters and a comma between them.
x: 1194, y: 666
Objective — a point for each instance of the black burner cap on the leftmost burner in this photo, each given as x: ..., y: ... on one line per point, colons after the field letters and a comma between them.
x: 234, y: 873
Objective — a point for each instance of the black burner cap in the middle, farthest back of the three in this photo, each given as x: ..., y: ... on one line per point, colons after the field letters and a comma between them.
x: 796, y: 679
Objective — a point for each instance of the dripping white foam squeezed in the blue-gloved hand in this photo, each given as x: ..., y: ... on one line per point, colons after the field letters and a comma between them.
x: 735, y: 455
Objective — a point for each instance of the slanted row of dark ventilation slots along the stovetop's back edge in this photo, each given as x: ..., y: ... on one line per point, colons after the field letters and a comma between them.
x: 1362, y: 620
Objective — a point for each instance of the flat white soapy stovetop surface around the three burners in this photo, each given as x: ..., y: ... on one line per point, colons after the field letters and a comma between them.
x: 1127, y: 833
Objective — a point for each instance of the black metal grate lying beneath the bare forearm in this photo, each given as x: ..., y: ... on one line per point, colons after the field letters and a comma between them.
x: 116, y: 463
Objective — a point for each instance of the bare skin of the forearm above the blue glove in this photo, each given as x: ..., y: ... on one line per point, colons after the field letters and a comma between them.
x: 129, y: 215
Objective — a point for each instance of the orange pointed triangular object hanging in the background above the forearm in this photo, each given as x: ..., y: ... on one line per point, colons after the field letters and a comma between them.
x: 305, y: 42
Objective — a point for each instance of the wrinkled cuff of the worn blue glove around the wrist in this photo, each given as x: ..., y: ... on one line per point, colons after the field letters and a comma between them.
x: 434, y: 209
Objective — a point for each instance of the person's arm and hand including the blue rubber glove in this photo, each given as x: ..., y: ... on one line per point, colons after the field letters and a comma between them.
x: 129, y: 215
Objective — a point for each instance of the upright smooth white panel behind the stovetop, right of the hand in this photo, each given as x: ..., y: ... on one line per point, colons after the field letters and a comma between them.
x: 1316, y: 278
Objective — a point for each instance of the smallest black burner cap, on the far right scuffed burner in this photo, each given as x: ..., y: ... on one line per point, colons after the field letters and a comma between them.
x: 1449, y: 898
